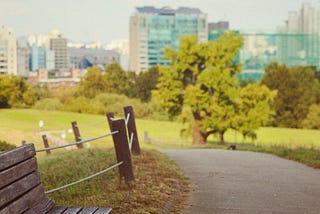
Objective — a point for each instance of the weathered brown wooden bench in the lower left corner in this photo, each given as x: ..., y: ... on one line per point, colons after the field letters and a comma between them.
x: 21, y: 190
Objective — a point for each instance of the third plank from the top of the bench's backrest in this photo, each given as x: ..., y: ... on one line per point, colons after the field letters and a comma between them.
x: 17, y: 189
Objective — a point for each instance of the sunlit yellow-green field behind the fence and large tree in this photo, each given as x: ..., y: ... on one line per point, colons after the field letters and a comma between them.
x: 18, y: 125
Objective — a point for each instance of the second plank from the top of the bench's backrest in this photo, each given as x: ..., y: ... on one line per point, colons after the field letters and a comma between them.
x: 16, y: 172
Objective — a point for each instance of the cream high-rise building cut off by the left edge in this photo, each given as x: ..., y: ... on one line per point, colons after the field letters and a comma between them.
x: 8, y: 51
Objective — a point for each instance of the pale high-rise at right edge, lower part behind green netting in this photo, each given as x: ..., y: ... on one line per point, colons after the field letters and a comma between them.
x: 299, y: 39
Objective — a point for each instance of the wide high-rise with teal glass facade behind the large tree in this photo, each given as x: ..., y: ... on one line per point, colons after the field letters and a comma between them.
x: 152, y: 29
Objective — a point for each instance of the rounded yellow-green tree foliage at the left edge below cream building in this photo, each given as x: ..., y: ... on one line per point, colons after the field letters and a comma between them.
x: 15, y: 92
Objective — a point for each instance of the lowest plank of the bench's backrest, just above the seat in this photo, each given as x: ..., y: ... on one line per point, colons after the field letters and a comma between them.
x: 23, y: 203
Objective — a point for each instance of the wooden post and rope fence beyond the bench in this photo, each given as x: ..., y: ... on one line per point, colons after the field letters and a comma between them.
x: 120, y: 129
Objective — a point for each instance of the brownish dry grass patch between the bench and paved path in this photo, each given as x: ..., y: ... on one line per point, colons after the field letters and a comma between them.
x: 157, y: 179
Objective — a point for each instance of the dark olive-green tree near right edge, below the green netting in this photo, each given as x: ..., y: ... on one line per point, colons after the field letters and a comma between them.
x: 298, y: 88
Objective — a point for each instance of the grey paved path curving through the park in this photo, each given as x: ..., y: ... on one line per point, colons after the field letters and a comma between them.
x: 247, y: 182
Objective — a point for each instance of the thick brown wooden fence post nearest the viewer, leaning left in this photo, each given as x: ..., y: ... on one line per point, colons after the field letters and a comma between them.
x: 122, y: 150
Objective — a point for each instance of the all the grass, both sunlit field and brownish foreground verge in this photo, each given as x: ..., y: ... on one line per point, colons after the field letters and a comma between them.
x: 157, y: 178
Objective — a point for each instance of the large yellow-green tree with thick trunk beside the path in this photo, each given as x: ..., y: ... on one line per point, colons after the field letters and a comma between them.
x: 202, y: 76
